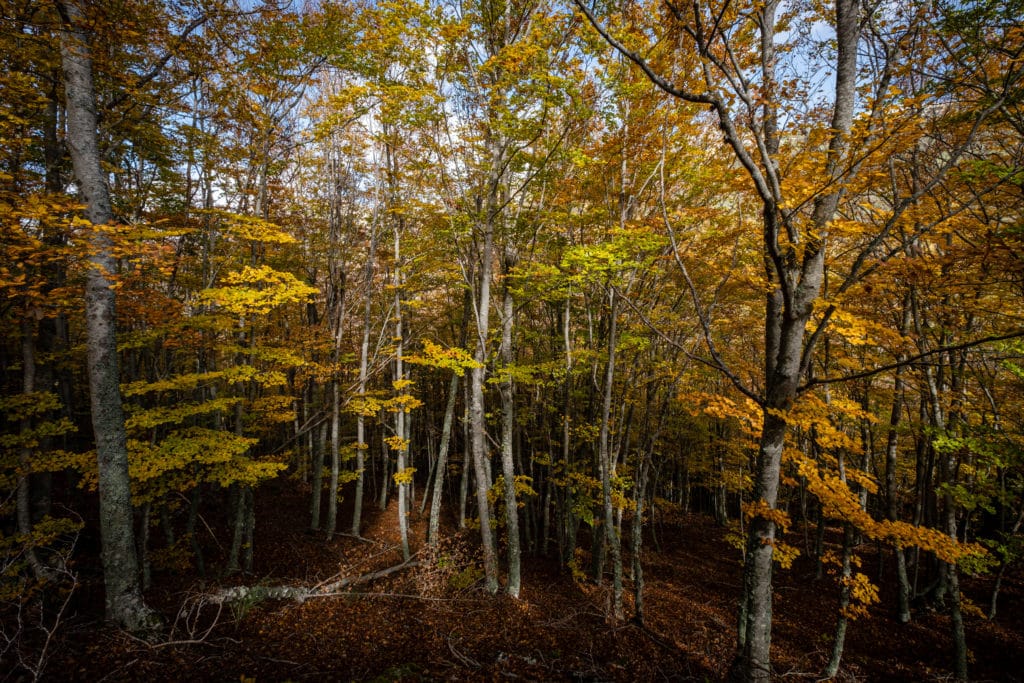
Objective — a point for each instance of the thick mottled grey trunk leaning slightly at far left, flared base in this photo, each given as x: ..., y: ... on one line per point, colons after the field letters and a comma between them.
x: 123, y: 594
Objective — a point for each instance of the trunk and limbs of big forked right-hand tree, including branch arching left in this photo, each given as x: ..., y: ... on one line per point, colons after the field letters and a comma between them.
x: 795, y: 276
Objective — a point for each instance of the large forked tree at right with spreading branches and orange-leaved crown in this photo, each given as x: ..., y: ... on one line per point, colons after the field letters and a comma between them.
x: 745, y: 83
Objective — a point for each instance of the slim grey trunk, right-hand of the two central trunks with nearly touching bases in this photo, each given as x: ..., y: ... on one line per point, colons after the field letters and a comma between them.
x: 506, y: 391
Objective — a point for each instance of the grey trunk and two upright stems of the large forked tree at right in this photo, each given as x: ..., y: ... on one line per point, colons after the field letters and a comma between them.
x: 788, y: 311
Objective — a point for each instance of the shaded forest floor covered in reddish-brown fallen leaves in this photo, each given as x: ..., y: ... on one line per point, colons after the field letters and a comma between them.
x: 435, y: 621
